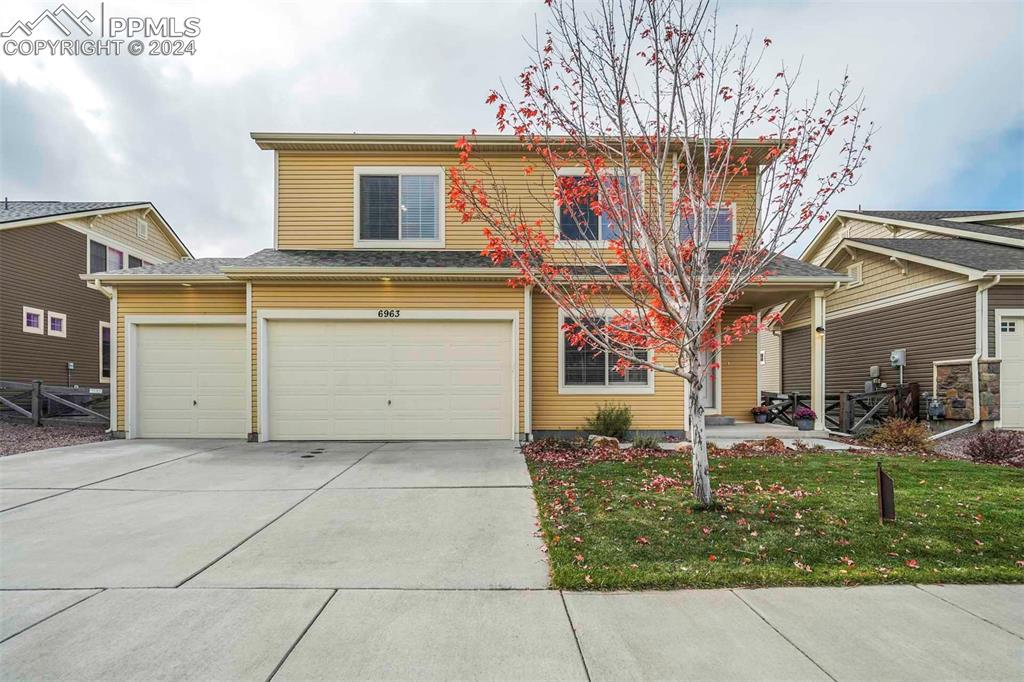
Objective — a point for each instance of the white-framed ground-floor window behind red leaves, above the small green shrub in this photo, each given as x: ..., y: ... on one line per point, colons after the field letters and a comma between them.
x: 593, y: 371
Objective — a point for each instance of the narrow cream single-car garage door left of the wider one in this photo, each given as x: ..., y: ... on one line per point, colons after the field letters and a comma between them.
x: 191, y: 381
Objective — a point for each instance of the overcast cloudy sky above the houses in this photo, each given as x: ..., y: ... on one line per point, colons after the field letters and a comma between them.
x: 945, y: 82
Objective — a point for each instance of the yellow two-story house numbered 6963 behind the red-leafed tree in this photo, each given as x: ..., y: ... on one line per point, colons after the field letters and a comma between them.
x: 375, y: 317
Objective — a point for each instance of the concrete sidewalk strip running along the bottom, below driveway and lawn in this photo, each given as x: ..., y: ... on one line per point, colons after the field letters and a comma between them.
x: 895, y: 633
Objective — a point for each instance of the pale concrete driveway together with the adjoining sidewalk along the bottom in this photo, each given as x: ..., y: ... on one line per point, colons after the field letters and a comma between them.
x: 229, y: 561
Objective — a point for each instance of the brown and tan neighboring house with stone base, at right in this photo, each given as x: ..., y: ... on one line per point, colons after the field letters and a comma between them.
x: 947, y: 287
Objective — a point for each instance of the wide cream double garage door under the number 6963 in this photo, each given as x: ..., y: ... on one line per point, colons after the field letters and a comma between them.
x: 390, y: 380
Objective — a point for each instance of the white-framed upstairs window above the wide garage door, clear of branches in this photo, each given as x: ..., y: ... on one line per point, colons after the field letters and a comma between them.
x: 399, y: 207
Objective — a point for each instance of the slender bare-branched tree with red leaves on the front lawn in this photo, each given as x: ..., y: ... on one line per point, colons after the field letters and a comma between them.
x: 666, y: 121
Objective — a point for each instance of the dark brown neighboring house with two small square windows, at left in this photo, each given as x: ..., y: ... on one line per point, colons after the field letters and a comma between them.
x: 54, y: 326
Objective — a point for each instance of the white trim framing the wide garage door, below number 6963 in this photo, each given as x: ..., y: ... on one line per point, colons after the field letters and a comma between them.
x: 266, y: 316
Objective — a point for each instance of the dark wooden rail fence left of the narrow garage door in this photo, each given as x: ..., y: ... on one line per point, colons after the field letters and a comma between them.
x: 37, y: 402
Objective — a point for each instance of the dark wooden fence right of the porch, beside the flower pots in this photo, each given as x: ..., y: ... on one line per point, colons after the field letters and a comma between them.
x: 848, y: 411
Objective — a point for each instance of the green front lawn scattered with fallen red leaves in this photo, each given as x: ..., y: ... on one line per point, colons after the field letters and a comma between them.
x: 961, y: 523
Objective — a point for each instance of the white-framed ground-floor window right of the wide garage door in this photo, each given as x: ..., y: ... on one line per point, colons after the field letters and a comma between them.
x: 593, y: 370
